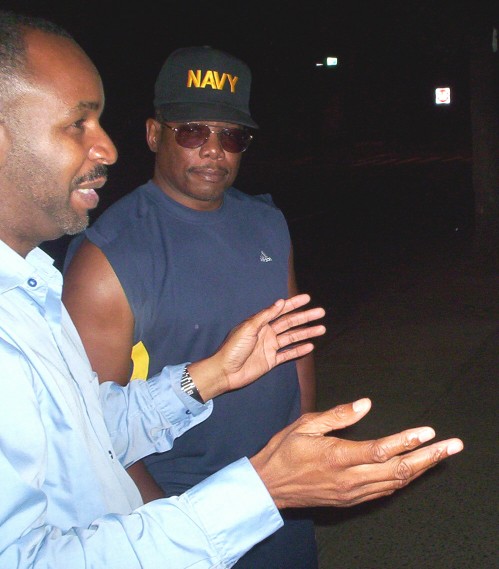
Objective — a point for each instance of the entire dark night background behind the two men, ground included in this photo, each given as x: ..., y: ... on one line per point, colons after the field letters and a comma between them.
x: 381, y: 189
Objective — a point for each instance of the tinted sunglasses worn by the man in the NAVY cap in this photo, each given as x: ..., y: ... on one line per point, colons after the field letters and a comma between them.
x: 194, y: 135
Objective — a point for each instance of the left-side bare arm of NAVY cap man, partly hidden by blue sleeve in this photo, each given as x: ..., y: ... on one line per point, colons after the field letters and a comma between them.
x: 99, y: 308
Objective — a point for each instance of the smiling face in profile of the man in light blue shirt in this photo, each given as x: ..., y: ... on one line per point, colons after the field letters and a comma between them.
x: 58, y: 151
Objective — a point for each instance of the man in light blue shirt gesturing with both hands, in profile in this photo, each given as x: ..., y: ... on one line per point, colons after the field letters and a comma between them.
x: 66, y: 500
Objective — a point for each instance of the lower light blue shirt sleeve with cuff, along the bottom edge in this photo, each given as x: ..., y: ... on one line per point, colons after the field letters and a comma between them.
x: 200, y: 528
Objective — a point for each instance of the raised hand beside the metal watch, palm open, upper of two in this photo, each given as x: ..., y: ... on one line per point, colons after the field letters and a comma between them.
x: 269, y: 338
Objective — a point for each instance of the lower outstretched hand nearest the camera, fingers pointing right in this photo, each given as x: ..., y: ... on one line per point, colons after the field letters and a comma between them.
x: 301, y: 467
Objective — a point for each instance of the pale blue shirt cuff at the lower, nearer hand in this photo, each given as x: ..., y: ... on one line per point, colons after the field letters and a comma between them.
x: 235, y: 508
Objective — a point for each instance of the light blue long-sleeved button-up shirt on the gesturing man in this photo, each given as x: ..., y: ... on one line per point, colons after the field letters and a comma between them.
x: 66, y: 500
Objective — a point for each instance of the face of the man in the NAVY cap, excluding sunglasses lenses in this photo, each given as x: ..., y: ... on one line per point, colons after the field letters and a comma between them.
x: 197, y: 177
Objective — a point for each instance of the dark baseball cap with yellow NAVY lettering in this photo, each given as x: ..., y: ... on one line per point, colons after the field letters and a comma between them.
x: 201, y: 83
